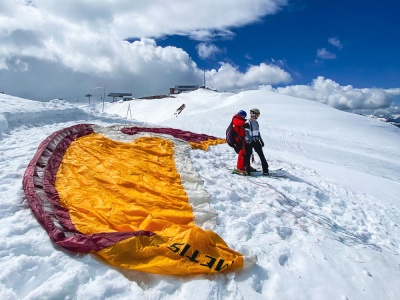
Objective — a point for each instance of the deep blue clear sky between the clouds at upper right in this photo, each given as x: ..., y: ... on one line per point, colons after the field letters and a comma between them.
x: 368, y: 32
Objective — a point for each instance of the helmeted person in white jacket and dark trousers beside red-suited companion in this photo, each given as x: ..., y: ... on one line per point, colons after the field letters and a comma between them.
x: 253, y: 140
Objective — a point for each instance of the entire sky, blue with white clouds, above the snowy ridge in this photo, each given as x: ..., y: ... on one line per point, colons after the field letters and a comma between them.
x: 342, y: 53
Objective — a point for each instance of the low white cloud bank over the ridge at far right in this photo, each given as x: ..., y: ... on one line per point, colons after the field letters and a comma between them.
x: 342, y: 97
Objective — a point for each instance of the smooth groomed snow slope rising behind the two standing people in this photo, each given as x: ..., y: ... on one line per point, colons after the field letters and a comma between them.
x: 349, y: 148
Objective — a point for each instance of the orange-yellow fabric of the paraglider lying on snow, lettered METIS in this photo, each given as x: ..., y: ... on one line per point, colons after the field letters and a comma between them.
x: 125, y: 202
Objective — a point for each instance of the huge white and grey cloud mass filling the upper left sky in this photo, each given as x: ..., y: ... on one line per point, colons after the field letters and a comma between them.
x: 85, y: 40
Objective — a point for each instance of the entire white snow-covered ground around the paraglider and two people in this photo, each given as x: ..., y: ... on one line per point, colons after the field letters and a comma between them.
x: 329, y: 229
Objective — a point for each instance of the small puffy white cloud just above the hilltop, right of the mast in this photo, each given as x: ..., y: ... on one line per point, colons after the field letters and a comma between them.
x: 228, y: 77
